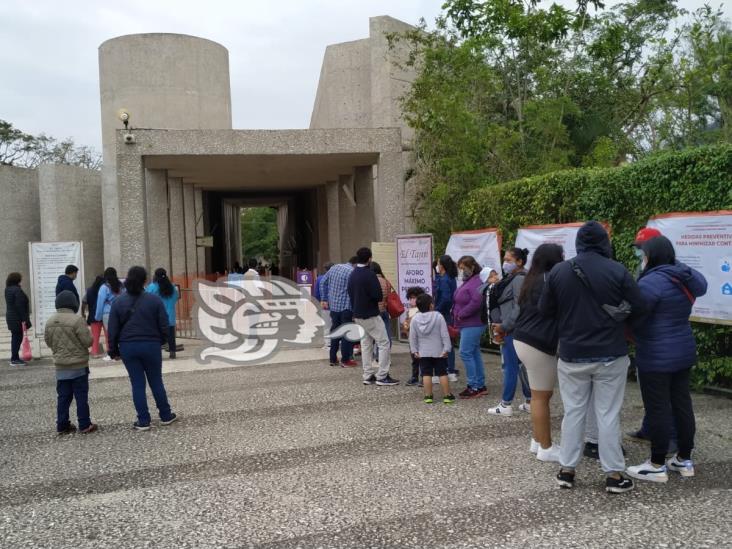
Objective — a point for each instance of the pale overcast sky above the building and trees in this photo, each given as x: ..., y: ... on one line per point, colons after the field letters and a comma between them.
x: 48, y: 53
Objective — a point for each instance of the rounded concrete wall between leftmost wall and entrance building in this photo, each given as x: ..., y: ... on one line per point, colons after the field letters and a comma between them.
x: 71, y: 209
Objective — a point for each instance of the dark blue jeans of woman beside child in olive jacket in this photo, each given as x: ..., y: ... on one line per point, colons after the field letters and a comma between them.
x: 144, y: 362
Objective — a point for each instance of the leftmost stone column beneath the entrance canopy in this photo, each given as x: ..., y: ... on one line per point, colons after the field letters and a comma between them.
x: 156, y: 189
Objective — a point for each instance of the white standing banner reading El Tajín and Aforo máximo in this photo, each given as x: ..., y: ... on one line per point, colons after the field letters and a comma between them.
x: 414, y: 264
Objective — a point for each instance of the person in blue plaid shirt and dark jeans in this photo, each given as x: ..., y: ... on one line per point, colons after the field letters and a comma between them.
x: 334, y: 298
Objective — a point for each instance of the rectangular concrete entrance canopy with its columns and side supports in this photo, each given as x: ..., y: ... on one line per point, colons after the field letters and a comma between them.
x: 344, y: 185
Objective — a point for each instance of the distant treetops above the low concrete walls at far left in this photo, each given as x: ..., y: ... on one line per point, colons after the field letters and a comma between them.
x: 18, y: 148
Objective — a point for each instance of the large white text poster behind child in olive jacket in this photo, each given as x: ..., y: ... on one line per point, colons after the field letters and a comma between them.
x: 48, y: 260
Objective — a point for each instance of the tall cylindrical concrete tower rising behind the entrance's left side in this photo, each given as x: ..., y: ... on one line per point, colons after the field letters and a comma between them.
x: 165, y: 81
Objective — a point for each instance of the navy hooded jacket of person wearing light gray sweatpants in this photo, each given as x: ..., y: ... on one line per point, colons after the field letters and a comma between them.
x: 586, y: 332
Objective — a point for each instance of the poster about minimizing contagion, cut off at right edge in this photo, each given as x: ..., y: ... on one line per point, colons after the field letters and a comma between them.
x: 703, y: 240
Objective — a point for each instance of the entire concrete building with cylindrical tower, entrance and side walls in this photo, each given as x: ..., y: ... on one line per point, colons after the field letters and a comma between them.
x: 180, y: 173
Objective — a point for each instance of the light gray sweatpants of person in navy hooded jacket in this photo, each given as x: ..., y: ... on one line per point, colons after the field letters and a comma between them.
x: 605, y: 382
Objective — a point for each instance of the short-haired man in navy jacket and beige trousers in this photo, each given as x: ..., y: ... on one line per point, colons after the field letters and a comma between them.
x: 364, y: 291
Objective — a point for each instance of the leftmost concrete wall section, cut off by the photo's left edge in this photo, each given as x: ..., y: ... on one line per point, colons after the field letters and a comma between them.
x: 19, y: 222
